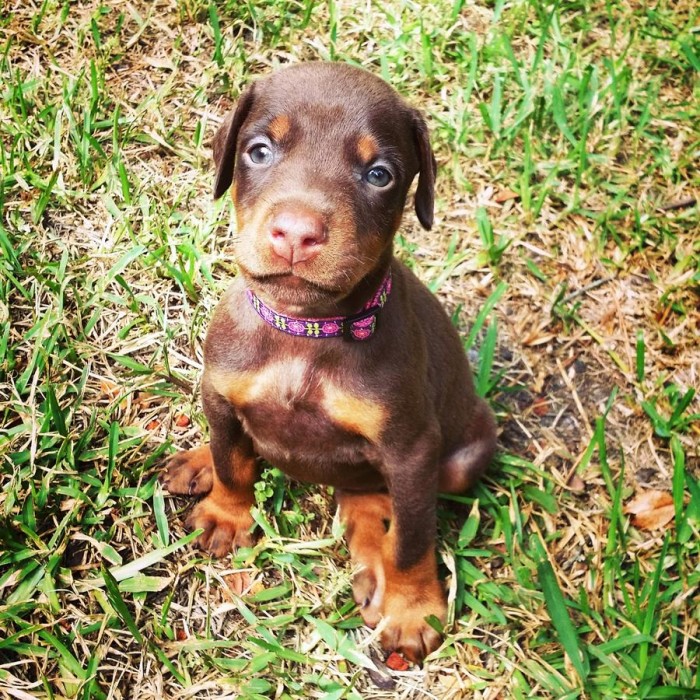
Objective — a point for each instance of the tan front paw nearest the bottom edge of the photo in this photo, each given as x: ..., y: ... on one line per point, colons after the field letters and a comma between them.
x: 406, y: 630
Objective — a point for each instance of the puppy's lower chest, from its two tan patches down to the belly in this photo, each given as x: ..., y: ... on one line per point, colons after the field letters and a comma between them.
x: 289, y: 408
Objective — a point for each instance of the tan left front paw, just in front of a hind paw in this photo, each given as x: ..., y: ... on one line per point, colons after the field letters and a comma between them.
x: 225, y: 529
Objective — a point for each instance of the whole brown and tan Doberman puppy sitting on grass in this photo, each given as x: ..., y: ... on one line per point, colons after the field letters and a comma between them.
x: 326, y: 356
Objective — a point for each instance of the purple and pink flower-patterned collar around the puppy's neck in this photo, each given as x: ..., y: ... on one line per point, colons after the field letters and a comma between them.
x: 360, y: 326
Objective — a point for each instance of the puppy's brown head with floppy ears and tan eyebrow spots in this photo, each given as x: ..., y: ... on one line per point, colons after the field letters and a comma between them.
x: 320, y: 157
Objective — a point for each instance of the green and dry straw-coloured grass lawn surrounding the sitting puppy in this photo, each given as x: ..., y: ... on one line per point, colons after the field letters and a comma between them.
x: 566, y: 250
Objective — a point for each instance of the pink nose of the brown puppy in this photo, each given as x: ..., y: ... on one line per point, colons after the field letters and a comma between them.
x: 297, y: 233
